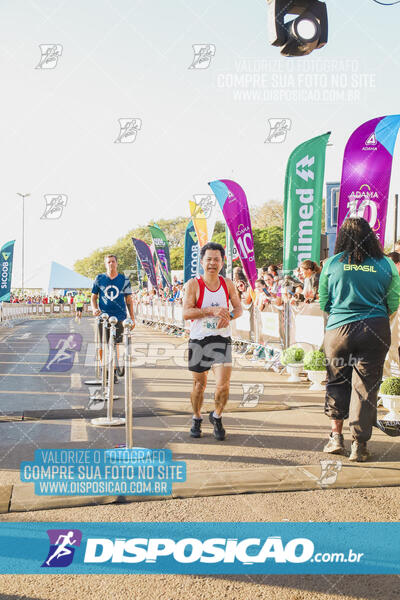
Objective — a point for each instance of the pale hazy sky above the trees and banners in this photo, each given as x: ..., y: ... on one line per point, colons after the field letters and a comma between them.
x: 130, y: 58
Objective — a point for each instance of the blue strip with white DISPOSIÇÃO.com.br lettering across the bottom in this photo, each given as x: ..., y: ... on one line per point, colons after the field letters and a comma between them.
x: 193, y: 548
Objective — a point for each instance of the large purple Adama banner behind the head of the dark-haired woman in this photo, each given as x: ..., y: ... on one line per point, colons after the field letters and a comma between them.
x: 367, y: 166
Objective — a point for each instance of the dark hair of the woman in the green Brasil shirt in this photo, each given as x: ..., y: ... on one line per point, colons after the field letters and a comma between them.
x: 358, y: 241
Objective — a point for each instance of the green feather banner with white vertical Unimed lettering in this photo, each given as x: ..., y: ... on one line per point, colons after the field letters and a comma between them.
x: 303, y: 202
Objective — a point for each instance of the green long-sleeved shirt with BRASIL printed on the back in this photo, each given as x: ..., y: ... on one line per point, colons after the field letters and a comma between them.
x: 350, y: 292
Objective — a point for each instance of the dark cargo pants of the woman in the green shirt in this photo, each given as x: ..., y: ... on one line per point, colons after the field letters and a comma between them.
x: 355, y: 355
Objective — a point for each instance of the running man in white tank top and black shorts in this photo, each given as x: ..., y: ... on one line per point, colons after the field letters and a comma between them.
x: 206, y: 304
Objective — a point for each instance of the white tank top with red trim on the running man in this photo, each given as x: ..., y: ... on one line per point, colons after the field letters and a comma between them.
x: 201, y: 328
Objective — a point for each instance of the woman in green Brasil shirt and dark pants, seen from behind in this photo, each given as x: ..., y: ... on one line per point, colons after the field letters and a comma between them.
x: 359, y: 288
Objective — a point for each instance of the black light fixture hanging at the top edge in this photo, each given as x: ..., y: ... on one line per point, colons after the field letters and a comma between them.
x: 300, y: 35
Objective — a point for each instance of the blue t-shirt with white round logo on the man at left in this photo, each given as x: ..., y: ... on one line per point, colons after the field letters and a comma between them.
x: 112, y: 294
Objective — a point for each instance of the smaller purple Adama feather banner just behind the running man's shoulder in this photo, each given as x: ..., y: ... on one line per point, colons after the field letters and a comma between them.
x: 233, y: 203
